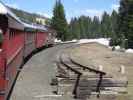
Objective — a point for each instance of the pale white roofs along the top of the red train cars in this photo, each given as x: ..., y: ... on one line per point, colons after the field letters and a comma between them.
x: 15, y: 22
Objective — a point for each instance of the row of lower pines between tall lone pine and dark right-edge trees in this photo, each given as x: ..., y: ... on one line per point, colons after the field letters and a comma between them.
x: 87, y: 27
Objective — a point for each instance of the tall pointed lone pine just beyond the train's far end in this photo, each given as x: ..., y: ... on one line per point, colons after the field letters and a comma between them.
x: 59, y: 22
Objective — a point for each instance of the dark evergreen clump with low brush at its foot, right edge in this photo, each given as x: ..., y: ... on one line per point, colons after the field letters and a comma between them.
x: 125, y: 24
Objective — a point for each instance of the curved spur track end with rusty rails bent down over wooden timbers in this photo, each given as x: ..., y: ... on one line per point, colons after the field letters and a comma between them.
x: 82, y: 82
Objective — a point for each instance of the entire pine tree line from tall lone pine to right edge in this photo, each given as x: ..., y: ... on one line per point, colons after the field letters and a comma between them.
x: 118, y: 26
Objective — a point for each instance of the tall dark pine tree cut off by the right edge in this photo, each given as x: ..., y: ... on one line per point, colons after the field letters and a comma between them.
x: 126, y: 21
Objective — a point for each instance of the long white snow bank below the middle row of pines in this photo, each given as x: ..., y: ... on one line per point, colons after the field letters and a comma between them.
x: 103, y: 41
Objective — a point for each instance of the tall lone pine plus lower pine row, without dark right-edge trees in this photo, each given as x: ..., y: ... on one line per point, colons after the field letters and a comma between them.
x: 83, y: 26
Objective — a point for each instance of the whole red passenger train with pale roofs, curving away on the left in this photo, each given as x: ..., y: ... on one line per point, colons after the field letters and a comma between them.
x: 17, y: 41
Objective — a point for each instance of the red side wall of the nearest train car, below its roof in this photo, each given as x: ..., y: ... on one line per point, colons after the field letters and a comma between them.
x: 14, y: 56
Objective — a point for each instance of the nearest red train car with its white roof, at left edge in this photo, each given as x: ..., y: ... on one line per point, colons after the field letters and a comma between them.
x: 11, y: 49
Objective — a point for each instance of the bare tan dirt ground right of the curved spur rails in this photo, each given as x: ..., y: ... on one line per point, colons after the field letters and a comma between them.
x: 95, y: 55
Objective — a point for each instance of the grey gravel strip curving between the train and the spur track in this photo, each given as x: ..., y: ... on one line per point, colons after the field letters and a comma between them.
x: 33, y: 82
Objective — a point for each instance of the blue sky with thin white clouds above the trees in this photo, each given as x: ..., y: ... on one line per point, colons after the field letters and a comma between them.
x: 73, y: 8
